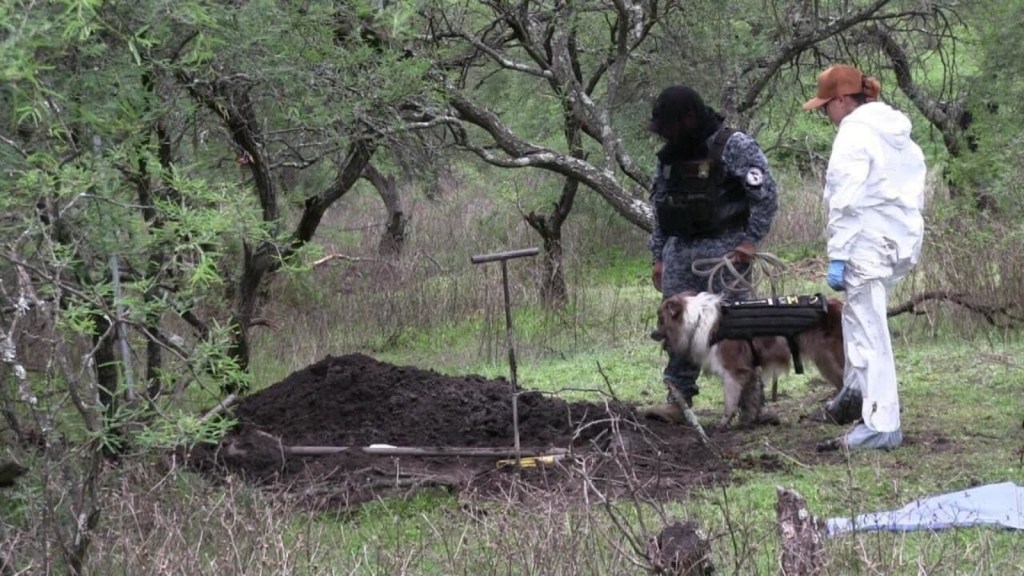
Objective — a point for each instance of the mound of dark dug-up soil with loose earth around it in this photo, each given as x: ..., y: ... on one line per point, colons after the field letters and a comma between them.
x: 355, y: 402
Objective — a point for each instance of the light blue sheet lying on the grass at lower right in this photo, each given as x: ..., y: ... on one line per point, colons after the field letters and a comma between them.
x: 995, y: 505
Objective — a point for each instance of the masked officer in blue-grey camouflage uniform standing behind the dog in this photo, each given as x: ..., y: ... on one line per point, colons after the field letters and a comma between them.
x: 705, y: 208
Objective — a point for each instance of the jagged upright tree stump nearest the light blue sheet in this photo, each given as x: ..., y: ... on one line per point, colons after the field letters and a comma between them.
x: 801, y: 536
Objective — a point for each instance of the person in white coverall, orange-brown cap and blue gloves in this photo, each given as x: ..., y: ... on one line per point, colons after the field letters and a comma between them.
x: 874, y: 194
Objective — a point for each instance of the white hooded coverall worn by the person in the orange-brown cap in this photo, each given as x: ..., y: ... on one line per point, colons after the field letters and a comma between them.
x: 875, y: 194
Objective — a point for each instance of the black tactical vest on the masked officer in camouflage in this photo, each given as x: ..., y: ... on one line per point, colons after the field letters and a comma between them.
x: 701, y: 200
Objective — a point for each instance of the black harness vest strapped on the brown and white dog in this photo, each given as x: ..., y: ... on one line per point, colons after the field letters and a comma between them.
x: 783, y: 316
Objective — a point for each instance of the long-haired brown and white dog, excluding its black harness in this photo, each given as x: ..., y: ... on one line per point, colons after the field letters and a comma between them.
x: 688, y: 324
